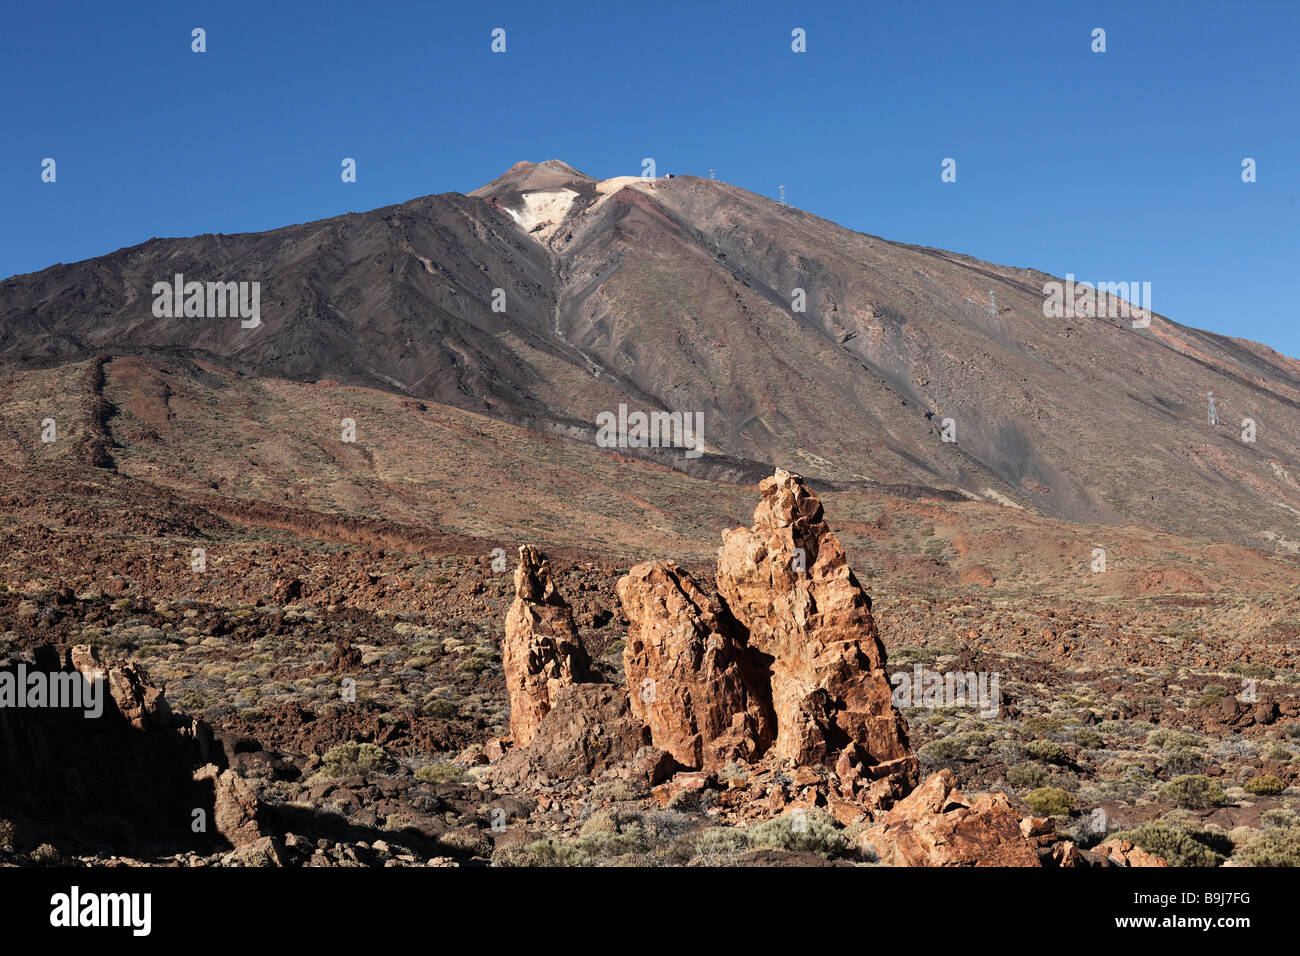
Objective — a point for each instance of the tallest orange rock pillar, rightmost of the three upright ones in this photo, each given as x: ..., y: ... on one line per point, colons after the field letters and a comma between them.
x: 788, y: 582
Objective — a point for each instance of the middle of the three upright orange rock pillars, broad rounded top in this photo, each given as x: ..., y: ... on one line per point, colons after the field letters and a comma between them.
x: 687, y: 671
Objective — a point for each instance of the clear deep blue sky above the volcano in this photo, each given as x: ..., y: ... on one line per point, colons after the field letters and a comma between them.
x: 1117, y: 167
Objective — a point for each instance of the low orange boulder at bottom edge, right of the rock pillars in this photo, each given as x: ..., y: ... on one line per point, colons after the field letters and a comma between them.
x: 937, y: 827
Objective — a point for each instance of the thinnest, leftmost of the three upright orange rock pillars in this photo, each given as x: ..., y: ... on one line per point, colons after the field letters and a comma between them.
x: 543, y: 652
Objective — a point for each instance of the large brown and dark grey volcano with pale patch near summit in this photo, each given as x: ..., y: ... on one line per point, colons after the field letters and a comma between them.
x: 678, y: 295
